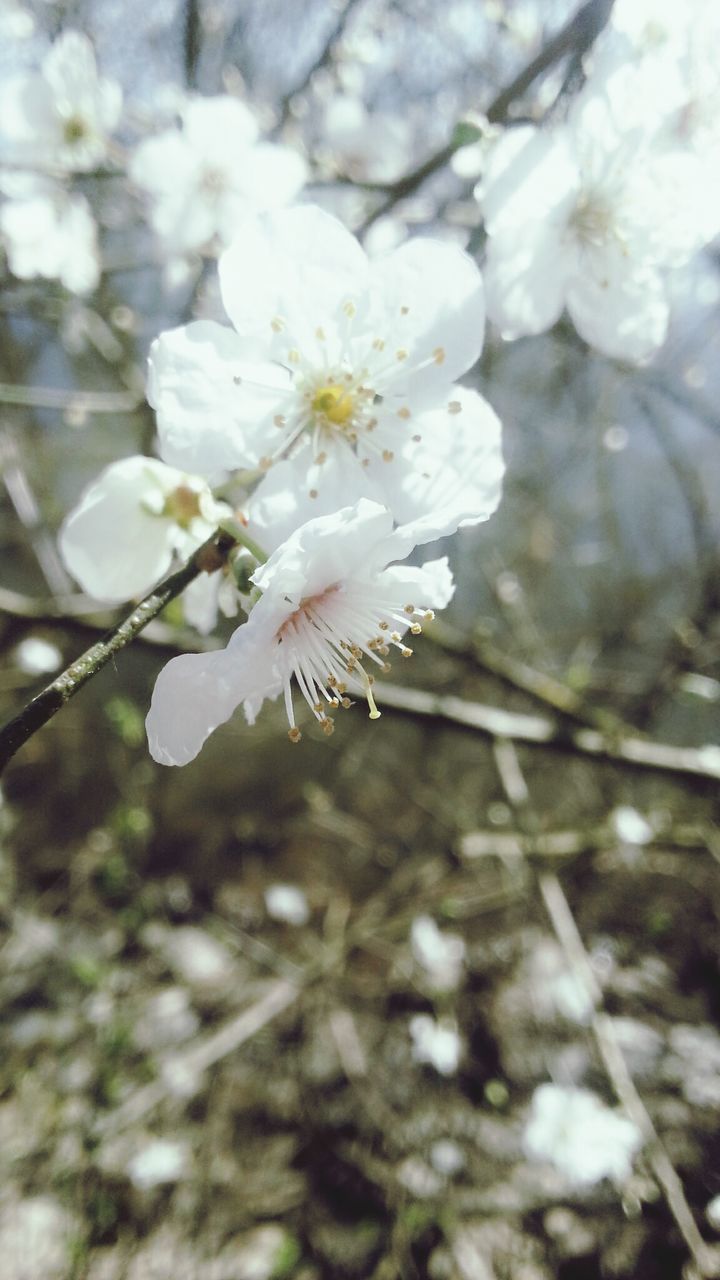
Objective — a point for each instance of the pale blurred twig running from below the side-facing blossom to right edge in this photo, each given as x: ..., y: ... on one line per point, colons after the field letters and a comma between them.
x: 701, y: 762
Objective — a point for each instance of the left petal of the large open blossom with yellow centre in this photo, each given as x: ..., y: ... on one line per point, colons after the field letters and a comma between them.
x: 215, y: 410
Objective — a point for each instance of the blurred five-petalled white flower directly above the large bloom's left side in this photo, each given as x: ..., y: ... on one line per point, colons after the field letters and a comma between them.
x: 207, y: 176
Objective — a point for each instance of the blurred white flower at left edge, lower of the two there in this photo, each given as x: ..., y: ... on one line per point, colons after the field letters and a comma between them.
x: 54, y: 236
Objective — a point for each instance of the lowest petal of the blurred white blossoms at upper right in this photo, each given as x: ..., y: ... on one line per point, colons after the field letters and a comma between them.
x: 621, y: 312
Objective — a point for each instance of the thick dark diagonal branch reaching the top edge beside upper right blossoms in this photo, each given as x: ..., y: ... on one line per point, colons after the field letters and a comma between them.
x: 576, y: 38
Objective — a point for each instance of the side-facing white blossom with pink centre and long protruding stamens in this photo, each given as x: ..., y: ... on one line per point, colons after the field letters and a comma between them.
x: 330, y: 607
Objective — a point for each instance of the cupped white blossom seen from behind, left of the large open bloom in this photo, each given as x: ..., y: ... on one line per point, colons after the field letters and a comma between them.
x: 130, y: 524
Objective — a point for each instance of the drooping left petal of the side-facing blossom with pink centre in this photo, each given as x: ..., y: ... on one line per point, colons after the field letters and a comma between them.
x: 197, y: 693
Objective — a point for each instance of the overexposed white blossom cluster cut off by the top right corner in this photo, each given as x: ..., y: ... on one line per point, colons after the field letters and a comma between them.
x: 590, y: 213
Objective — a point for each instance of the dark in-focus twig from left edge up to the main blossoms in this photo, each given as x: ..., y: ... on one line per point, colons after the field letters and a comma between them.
x: 207, y: 559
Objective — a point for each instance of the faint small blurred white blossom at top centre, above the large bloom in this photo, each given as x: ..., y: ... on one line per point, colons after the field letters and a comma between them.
x: 371, y: 147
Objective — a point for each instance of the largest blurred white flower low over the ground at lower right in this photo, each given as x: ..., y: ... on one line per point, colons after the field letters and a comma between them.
x: 585, y: 1140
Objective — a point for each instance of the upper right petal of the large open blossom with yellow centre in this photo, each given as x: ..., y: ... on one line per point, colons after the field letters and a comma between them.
x: 427, y: 300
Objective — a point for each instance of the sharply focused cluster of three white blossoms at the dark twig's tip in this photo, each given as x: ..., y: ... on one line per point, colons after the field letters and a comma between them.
x: 329, y: 427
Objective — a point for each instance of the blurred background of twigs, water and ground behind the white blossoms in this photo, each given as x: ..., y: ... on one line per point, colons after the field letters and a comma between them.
x: 224, y: 1026
